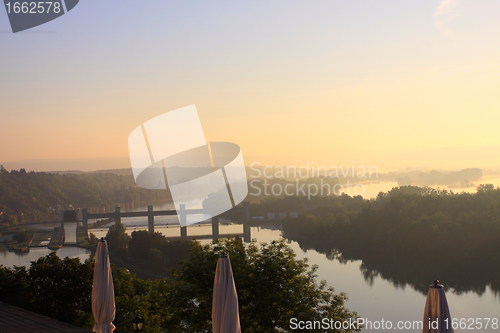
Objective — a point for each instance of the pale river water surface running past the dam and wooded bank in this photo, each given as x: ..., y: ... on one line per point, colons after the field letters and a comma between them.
x: 374, y: 299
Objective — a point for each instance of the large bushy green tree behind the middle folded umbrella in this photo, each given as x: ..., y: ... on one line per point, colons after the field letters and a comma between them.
x: 273, y: 287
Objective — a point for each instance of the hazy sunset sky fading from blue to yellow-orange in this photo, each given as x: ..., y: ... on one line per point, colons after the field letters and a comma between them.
x: 392, y: 83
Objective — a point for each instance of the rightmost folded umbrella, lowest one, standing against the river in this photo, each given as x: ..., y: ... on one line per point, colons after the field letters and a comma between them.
x: 436, y: 311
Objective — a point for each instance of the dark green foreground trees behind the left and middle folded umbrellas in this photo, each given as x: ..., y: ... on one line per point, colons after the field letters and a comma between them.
x: 272, y: 288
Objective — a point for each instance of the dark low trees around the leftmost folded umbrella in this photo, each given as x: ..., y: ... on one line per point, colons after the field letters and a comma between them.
x: 62, y: 289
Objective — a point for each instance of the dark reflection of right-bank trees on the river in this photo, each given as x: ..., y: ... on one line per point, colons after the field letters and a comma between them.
x: 462, y: 275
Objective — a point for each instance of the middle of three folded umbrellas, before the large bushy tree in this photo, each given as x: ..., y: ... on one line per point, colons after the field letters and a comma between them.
x: 225, y: 314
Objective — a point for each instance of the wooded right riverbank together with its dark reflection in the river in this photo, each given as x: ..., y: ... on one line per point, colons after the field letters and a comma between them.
x: 410, y: 235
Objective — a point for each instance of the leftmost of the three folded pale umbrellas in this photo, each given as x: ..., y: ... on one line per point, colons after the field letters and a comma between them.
x: 103, y: 293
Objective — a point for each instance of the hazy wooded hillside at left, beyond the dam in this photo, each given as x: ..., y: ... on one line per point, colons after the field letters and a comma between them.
x: 33, y: 195
